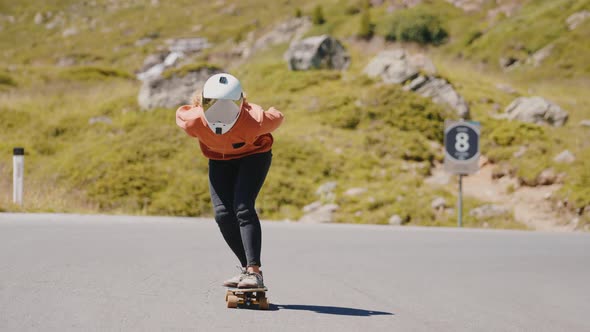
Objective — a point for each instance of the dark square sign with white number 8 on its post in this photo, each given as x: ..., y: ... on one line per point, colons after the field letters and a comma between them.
x: 461, y: 153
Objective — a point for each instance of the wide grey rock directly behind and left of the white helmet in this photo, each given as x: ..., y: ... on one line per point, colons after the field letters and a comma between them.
x: 173, y: 91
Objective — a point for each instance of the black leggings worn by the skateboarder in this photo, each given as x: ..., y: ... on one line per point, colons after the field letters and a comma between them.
x: 234, y: 185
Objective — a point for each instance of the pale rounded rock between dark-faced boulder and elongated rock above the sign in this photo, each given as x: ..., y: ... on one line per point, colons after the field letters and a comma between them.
x: 392, y: 66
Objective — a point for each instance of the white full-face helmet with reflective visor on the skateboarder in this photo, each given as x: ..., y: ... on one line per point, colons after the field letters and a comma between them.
x: 222, y: 102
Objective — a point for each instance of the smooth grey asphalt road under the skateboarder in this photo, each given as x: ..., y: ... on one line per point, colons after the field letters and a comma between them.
x: 111, y: 273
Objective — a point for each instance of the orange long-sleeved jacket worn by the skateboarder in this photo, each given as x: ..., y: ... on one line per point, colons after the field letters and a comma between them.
x: 249, y: 135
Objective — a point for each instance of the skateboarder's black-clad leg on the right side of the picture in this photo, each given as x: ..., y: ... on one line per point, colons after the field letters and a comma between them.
x: 251, y: 175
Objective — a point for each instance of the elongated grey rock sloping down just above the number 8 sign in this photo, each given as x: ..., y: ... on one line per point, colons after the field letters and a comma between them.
x: 441, y: 92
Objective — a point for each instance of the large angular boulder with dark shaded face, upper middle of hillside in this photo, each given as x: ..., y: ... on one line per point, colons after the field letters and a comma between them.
x: 318, y: 52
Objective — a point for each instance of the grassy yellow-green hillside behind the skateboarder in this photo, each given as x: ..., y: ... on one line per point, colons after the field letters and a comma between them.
x: 341, y: 126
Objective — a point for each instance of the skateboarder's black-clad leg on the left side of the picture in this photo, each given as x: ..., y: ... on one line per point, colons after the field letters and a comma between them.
x: 222, y: 181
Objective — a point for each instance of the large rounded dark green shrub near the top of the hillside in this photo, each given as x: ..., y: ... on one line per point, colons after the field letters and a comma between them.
x: 417, y: 26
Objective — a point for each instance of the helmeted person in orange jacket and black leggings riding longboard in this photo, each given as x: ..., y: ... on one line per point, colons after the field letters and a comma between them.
x: 236, y: 138
